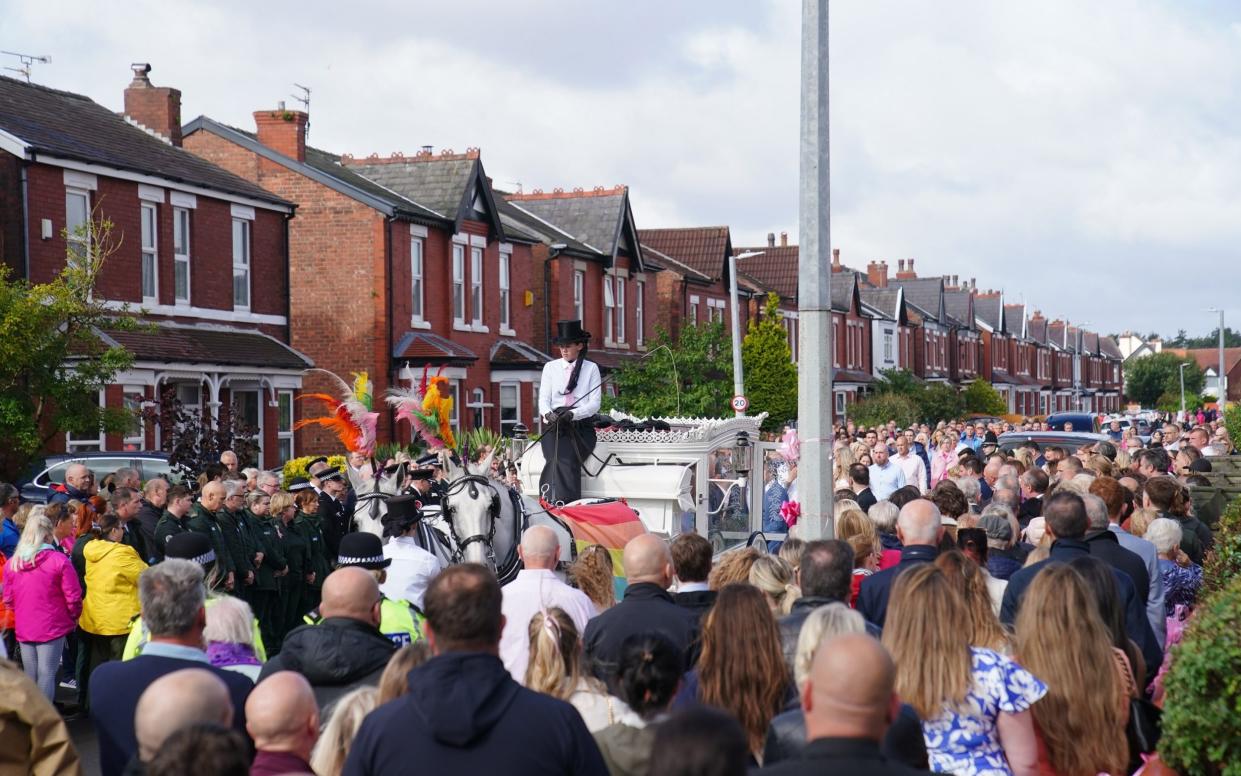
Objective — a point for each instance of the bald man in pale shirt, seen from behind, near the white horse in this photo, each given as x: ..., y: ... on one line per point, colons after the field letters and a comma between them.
x: 537, y: 589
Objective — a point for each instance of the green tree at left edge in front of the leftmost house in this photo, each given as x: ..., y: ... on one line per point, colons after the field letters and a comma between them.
x: 53, y: 364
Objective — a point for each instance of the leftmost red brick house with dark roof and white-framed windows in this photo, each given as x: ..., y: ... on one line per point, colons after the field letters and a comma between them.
x: 203, y: 254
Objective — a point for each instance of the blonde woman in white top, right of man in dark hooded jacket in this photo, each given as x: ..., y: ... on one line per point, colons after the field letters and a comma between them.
x: 555, y: 670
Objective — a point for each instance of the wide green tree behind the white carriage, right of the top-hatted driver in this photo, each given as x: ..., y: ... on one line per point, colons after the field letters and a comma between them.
x: 687, y: 377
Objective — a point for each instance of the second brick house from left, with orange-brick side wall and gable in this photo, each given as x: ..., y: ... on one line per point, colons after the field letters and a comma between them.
x: 399, y: 264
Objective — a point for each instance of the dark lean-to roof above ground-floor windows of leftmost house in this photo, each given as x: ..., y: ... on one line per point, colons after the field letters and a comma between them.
x: 214, y: 346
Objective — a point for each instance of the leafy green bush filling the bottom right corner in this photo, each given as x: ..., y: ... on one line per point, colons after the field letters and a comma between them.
x: 1202, y: 717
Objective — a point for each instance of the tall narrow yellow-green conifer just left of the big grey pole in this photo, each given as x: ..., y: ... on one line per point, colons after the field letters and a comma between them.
x: 771, y: 376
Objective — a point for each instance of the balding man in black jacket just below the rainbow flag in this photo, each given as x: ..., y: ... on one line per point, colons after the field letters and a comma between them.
x: 647, y: 608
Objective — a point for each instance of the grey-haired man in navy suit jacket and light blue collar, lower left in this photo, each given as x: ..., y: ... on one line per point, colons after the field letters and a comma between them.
x: 173, y: 602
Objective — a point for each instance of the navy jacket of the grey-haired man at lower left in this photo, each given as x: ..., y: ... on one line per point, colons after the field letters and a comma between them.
x: 116, y: 688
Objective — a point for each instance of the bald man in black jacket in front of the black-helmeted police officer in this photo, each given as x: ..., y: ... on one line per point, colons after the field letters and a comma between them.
x: 346, y: 649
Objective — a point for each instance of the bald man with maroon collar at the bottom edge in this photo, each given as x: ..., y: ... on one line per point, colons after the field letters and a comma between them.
x: 284, y: 720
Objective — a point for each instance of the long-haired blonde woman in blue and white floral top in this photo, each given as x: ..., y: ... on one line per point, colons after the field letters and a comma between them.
x: 975, y: 703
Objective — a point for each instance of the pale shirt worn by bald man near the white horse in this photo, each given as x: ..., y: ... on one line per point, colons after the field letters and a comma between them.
x: 534, y: 590
